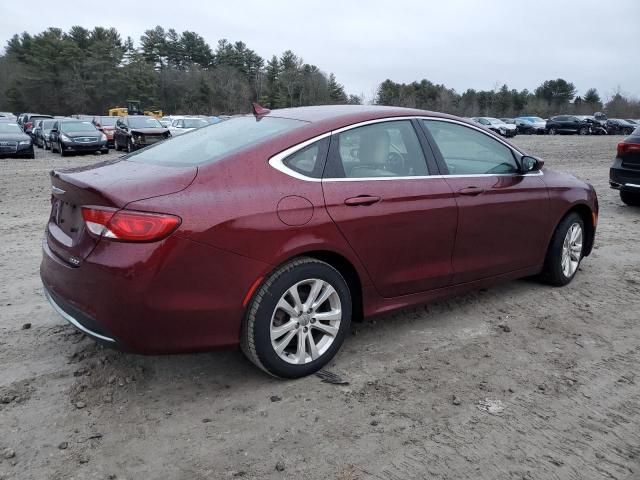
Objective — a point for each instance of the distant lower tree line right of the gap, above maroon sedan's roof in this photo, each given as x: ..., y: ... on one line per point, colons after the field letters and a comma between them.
x: 552, y: 97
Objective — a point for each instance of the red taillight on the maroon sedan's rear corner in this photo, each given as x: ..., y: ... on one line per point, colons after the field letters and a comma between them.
x: 129, y: 225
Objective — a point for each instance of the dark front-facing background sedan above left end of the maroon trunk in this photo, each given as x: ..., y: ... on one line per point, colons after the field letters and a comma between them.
x: 70, y: 136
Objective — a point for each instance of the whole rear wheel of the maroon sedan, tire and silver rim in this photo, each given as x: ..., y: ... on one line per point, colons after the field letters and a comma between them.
x: 264, y: 315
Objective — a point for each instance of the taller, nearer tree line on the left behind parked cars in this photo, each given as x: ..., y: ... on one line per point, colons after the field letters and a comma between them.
x: 90, y: 71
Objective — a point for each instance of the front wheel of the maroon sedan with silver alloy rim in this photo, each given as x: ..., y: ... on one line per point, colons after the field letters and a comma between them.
x: 555, y: 271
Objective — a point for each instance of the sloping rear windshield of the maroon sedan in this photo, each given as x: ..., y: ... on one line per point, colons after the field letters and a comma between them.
x: 211, y: 143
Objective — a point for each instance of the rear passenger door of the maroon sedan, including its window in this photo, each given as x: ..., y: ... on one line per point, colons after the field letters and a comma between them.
x: 399, y: 220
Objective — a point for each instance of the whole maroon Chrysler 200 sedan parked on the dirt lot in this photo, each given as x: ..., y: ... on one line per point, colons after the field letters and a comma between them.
x: 275, y: 230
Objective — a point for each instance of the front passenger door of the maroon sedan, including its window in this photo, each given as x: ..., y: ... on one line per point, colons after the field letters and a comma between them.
x: 502, y: 213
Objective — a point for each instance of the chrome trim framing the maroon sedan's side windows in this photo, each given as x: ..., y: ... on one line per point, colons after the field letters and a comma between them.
x: 277, y: 160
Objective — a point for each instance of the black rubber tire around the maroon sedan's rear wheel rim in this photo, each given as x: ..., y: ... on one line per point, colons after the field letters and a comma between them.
x: 256, y: 329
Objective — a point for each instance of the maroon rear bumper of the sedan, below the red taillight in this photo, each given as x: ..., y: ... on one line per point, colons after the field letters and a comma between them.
x: 171, y: 296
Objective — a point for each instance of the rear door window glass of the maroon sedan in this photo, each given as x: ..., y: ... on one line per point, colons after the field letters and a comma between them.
x: 385, y: 149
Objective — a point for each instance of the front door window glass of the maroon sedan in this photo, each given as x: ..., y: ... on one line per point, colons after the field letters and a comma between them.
x: 467, y: 151
